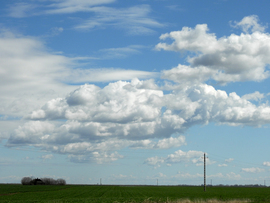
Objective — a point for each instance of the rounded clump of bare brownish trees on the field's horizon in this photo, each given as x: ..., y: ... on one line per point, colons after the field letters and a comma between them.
x: 42, y: 181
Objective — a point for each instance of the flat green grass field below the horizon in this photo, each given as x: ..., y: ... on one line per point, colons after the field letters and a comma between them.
x: 147, y: 194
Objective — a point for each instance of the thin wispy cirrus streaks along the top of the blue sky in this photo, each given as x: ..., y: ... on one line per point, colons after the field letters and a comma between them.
x: 135, y: 20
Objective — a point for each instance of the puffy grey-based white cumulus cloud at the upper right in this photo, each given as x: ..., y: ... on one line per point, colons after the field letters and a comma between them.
x: 241, y: 57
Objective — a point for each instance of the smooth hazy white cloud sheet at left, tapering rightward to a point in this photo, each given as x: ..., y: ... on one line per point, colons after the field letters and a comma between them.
x: 30, y: 74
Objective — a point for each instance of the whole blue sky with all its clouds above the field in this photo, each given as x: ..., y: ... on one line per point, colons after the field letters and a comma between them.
x: 135, y: 92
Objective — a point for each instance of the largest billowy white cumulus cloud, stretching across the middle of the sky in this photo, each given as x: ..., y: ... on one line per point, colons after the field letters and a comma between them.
x: 131, y: 114
